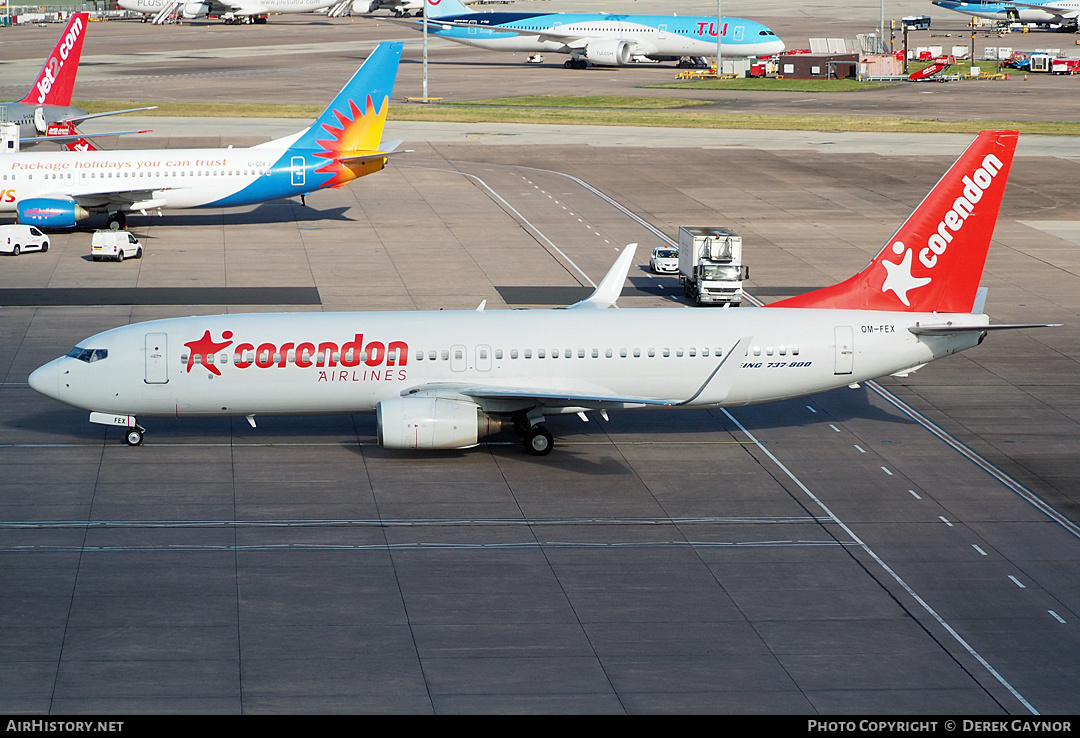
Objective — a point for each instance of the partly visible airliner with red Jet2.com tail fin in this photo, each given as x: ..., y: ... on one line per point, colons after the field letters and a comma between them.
x: 46, y: 114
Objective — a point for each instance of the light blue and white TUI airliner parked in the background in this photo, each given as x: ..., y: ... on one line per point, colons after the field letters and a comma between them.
x: 600, y: 39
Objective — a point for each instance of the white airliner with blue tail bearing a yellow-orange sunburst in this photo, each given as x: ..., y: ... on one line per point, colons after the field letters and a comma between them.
x: 56, y: 190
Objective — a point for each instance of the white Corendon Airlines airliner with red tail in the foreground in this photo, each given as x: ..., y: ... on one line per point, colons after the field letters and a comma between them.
x: 445, y: 380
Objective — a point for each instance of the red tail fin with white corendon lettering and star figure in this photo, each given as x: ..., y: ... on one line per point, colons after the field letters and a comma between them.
x: 935, y: 262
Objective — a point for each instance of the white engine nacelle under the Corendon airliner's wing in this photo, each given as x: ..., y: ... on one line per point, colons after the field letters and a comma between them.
x: 433, y: 423
